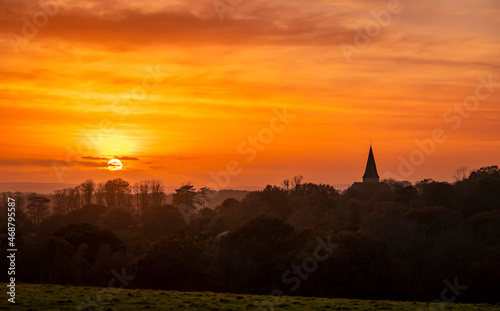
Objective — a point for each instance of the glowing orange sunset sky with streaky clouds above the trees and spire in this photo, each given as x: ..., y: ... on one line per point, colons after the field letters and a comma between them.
x: 183, y: 90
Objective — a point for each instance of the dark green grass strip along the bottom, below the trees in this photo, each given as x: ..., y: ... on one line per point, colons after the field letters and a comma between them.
x: 55, y: 297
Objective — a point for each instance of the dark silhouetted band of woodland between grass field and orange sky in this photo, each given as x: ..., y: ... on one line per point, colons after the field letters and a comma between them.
x: 396, y: 240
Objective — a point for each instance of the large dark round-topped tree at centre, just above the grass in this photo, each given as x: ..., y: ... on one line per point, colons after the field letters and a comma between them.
x: 253, y: 257
